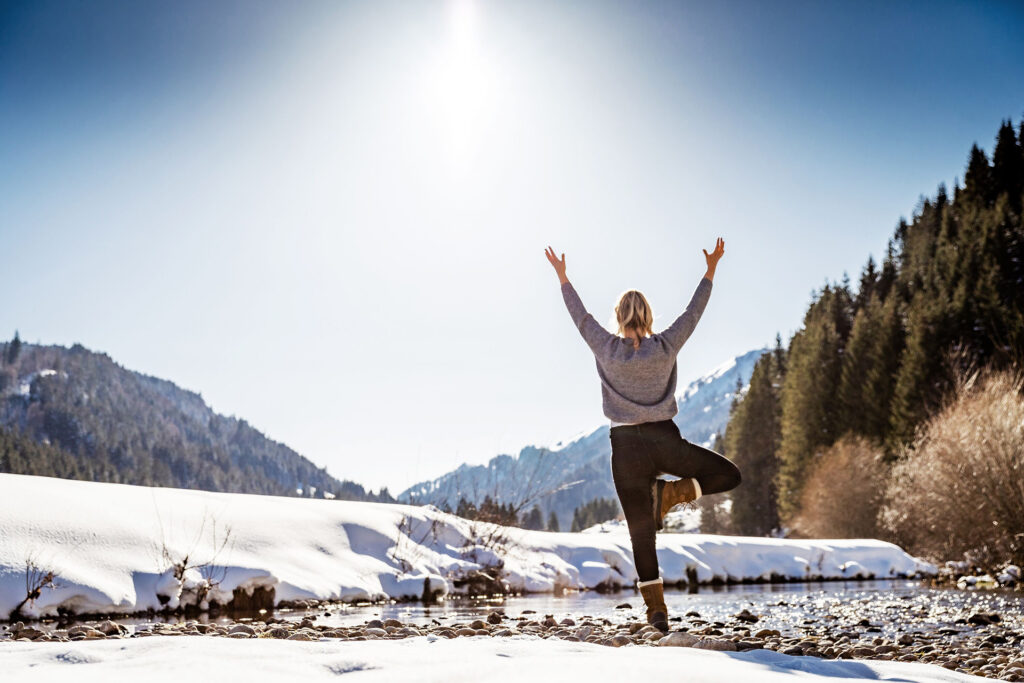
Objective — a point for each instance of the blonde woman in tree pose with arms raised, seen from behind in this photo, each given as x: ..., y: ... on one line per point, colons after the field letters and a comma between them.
x: 637, y: 369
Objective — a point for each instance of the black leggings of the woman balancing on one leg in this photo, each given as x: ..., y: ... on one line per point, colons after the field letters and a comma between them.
x: 639, y: 454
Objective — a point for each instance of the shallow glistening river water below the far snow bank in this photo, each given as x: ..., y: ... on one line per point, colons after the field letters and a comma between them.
x: 886, y: 608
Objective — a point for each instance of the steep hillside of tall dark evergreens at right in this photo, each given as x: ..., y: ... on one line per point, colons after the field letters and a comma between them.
x: 875, y: 361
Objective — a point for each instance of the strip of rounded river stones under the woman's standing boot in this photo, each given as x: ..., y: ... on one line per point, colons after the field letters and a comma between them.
x: 902, y: 628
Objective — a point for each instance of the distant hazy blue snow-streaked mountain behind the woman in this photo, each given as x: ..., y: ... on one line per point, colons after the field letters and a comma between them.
x: 564, y: 476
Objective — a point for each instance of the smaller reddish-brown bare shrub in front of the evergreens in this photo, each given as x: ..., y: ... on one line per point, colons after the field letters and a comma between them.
x: 843, y: 493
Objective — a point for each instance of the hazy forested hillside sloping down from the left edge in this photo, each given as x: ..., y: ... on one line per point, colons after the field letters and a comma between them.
x: 76, y: 414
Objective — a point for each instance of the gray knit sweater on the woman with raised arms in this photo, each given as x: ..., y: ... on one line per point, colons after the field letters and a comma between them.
x: 637, y: 386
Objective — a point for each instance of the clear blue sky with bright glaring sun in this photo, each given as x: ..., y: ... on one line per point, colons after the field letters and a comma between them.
x: 330, y: 219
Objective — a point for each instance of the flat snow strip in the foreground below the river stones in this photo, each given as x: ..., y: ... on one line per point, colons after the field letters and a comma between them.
x: 428, y: 659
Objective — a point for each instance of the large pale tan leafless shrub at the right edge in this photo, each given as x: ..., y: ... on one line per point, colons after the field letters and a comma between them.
x: 959, y: 490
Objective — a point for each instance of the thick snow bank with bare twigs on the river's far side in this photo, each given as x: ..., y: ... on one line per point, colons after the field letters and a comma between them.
x: 113, y: 548
